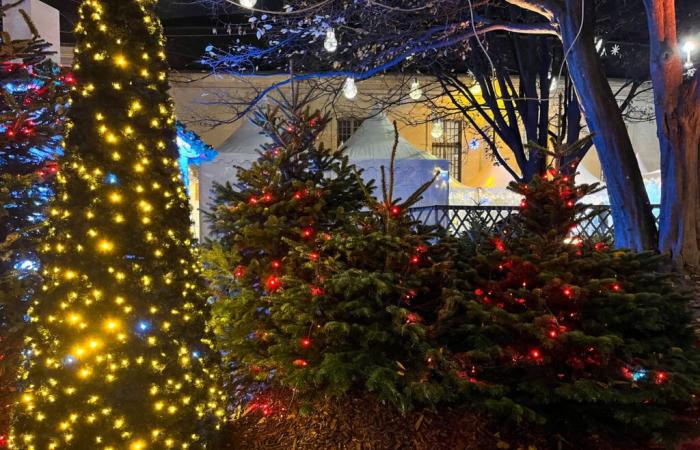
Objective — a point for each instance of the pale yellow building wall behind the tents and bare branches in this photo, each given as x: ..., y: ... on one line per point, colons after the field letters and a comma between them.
x: 200, y: 96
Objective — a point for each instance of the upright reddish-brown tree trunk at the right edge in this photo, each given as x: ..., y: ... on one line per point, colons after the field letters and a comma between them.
x: 678, y: 127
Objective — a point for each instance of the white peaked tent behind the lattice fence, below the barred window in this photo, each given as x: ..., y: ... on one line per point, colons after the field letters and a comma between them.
x: 370, y: 148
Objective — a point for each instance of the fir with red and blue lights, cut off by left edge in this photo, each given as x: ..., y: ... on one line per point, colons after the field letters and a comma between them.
x: 33, y: 93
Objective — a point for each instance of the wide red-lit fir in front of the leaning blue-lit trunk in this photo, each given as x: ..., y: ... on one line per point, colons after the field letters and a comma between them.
x: 576, y: 335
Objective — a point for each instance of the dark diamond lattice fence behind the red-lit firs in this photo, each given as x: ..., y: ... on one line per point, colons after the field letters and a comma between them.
x: 472, y: 220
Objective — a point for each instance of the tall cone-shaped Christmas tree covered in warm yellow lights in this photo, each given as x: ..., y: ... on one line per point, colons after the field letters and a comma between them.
x: 117, y: 358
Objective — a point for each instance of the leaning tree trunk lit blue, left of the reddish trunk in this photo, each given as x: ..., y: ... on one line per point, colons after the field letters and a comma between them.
x: 635, y: 226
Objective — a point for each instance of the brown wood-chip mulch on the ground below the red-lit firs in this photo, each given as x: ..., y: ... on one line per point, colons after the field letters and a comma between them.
x: 364, y: 424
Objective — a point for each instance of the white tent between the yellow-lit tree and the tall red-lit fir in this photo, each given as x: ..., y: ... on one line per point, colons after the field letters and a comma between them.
x: 241, y: 149
